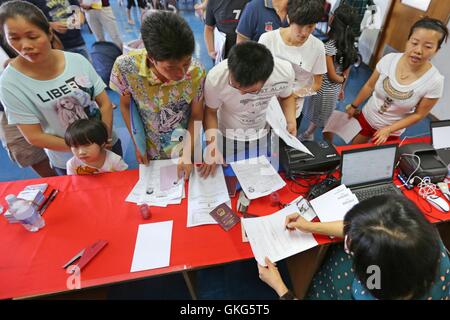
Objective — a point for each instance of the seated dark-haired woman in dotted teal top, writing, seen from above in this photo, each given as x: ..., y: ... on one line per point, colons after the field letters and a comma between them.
x: 381, y: 235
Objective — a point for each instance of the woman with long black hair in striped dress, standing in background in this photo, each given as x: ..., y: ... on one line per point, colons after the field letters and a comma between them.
x: 340, y: 55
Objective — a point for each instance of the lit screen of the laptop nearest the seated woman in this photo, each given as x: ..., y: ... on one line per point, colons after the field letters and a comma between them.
x: 368, y: 165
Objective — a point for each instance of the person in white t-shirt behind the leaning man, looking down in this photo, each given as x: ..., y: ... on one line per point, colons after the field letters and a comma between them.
x: 297, y: 45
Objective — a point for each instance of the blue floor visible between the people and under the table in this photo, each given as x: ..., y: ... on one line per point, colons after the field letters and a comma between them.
x: 234, y: 281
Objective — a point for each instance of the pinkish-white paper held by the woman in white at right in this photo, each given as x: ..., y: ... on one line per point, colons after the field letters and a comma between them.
x: 340, y: 124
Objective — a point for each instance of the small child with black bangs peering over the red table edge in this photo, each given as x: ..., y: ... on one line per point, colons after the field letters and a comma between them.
x: 88, y: 139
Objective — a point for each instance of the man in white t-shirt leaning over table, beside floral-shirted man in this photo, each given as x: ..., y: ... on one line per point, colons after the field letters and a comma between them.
x: 237, y: 94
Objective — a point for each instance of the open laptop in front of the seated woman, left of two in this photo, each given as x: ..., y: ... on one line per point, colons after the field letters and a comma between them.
x: 369, y: 172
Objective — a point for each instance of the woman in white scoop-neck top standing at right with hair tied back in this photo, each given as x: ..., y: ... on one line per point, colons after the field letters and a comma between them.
x: 404, y: 87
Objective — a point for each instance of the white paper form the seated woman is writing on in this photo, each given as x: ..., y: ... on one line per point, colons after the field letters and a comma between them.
x: 269, y: 237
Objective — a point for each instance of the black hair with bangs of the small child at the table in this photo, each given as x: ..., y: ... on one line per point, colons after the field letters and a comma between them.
x: 86, y: 131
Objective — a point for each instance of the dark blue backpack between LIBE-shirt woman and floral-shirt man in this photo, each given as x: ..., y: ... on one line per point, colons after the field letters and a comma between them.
x: 103, y: 56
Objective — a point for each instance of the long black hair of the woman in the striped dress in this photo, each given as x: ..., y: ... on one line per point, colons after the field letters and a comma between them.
x: 341, y: 31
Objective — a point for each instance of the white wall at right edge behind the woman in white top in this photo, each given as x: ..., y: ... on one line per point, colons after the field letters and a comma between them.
x: 442, y: 109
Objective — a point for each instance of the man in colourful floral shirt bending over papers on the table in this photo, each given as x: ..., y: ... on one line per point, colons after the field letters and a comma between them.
x: 166, y: 86
